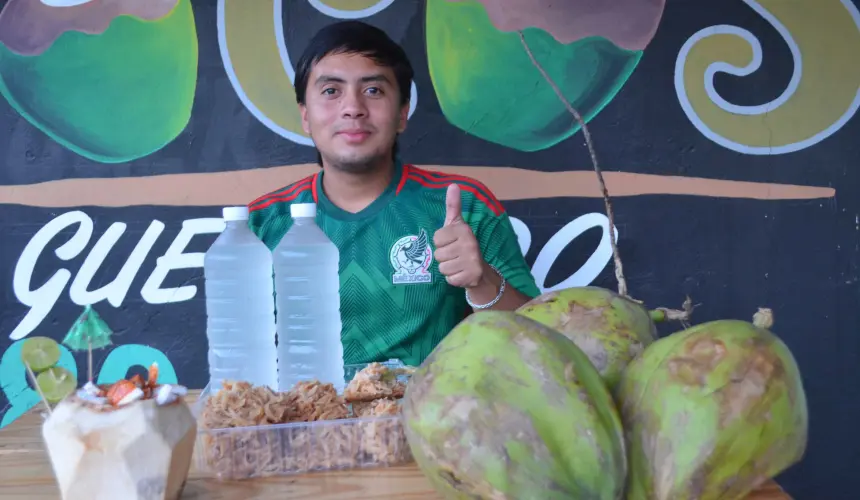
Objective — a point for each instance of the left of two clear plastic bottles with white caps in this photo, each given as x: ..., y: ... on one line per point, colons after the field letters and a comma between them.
x: 240, y: 305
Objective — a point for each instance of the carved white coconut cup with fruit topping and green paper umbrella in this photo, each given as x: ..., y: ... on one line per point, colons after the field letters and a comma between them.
x: 140, y: 450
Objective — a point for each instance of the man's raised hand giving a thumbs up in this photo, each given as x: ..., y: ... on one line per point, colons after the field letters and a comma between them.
x: 457, y: 251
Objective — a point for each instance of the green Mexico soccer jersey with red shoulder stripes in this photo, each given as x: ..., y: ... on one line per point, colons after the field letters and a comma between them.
x: 394, y: 301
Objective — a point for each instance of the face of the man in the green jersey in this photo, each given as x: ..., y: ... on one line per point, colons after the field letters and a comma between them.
x: 352, y: 111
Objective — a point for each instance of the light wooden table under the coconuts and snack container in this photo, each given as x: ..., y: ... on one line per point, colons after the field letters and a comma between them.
x: 25, y: 473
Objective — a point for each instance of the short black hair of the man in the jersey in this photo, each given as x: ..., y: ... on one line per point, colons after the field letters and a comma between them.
x: 355, y: 37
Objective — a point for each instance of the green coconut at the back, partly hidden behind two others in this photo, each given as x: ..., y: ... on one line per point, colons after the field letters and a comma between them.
x: 610, y: 328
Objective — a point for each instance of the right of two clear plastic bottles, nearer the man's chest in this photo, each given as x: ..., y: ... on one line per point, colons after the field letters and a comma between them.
x: 307, y: 287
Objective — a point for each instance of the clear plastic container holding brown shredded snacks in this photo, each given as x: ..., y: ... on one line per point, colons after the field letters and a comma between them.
x: 296, y: 448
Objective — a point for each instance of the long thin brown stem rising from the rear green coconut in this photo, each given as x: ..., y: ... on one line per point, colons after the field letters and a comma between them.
x: 668, y: 314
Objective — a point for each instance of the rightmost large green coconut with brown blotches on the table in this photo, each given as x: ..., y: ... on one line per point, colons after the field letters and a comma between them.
x: 712, y: 412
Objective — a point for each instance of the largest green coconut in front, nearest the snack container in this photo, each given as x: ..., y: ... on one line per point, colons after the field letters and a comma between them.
x: 506, y: 408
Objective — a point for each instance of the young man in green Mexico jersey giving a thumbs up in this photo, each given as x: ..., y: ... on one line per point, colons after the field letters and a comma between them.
x: 417, y: 248
